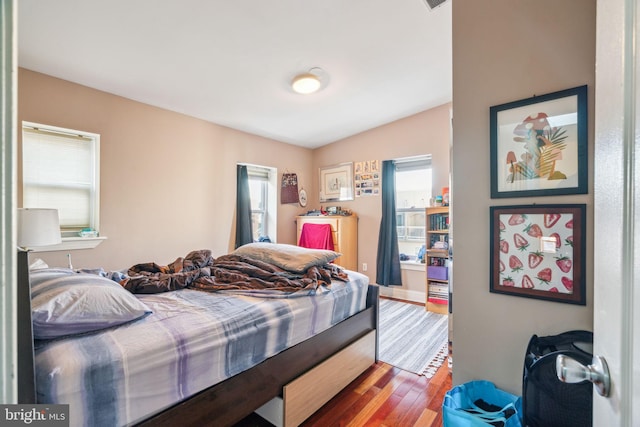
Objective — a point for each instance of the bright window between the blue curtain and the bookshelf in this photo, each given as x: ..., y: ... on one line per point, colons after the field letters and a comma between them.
x: 413, y: 191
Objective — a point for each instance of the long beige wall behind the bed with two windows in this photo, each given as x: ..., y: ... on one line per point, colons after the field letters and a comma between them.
x: 167, y: 180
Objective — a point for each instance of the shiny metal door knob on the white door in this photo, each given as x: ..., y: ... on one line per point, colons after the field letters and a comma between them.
x: 571, y: 371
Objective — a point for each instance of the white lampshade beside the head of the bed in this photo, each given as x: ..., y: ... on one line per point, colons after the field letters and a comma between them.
x: 38, y: 227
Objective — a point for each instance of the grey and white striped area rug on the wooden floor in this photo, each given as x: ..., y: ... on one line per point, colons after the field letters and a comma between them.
x: 412, y: 338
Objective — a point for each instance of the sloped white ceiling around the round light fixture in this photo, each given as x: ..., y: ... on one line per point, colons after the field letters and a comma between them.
x: 230, y: 62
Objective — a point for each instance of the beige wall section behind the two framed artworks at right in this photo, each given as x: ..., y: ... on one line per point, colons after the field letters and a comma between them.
x: 505, y: 51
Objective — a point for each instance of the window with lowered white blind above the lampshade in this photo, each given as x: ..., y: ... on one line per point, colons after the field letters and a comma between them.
x: 60, y: 170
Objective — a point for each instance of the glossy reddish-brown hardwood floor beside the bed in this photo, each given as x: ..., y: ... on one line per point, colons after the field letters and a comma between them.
x: 382, y: 396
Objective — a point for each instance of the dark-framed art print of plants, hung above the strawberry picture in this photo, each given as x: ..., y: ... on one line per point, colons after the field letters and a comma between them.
x: 538, y: 145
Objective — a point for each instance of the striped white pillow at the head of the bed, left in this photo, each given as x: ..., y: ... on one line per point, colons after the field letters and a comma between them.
x: 67, y: 303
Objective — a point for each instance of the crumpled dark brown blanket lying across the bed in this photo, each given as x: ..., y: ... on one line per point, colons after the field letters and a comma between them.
x: 199, y: 270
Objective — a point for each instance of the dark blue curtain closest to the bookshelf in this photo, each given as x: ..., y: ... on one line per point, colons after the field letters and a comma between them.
x: 388, y: 261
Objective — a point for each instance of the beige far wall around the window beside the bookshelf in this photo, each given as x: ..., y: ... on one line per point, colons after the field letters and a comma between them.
x: 424, y: 133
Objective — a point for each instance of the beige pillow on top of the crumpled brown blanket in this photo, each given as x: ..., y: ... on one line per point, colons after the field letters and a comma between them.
x: 289, y: 257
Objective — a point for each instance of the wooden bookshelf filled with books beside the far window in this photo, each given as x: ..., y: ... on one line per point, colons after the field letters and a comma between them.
x: 437, y: 259
